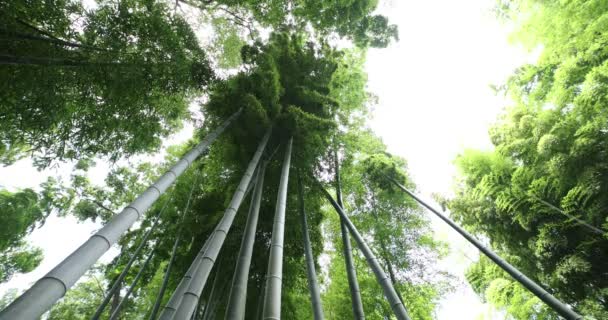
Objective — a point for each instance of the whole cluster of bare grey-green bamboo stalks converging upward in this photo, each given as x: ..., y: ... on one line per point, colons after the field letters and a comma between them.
x: 185, y: 298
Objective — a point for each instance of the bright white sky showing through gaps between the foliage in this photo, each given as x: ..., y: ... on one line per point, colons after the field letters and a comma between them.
x: 434, y: 101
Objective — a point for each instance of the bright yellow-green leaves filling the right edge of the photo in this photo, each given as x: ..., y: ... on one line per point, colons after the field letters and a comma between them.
x: 550, y: 148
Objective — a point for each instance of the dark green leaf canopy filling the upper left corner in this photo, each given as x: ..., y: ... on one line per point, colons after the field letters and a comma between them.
x: 118, y: 93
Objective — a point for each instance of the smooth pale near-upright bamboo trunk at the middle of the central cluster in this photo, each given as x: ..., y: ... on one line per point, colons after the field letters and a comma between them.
x: 272, y: 296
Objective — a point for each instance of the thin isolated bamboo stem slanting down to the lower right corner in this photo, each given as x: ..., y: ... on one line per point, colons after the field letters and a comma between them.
x: 536, y: 289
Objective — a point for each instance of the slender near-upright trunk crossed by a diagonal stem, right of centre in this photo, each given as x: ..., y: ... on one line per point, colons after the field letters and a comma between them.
x: 353, y: 284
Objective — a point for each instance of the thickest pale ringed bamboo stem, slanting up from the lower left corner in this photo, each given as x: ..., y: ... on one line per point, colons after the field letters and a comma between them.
x: 46, y: 291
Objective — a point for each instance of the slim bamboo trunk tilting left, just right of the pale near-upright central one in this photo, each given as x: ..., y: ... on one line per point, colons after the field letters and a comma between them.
x: 313, y: 286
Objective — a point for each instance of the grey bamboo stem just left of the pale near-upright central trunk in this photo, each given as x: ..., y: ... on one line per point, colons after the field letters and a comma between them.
x: 238, y: 291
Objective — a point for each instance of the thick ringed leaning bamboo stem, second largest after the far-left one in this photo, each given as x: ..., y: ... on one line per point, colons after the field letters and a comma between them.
x: 205, y: 263
